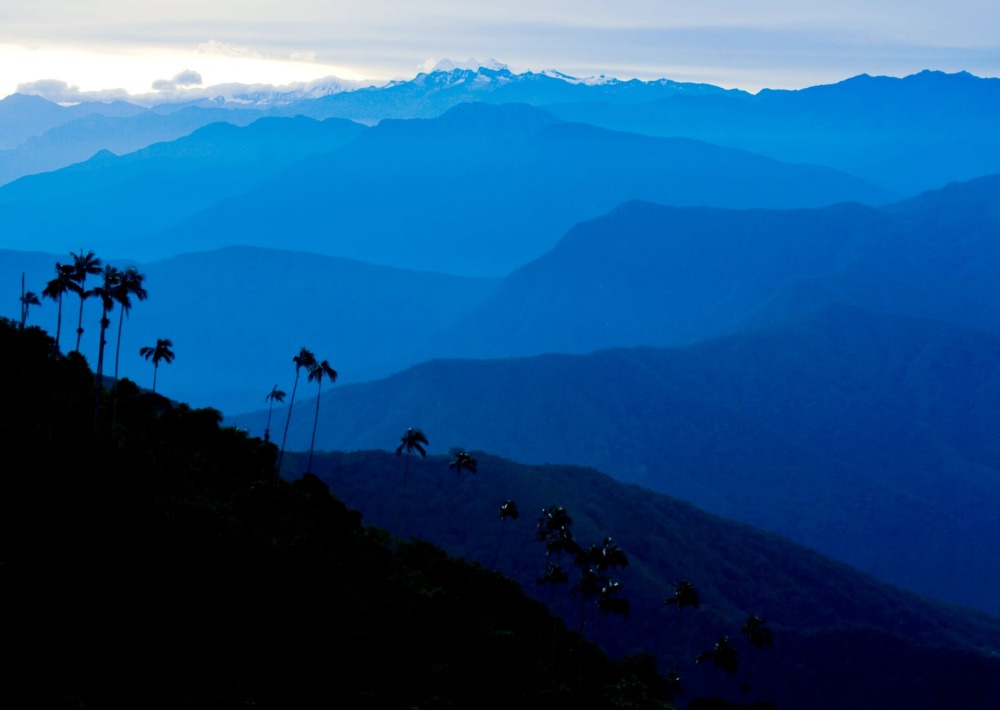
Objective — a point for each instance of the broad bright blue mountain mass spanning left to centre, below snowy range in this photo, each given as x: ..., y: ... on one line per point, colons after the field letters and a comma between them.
x: 478, y: 192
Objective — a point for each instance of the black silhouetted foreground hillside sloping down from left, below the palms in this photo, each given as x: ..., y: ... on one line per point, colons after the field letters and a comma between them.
x: 166, y: 566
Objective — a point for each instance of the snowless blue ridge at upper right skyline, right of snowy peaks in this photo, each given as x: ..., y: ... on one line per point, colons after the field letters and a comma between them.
x: 910, y: 134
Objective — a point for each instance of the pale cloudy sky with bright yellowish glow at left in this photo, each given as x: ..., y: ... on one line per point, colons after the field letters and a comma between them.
x: 74, y: 49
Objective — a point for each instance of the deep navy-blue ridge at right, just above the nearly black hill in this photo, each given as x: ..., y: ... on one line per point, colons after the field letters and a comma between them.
x: 870, y: 438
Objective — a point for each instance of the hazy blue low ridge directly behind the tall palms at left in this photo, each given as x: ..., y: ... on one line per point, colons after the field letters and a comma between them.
x: 237, y: 317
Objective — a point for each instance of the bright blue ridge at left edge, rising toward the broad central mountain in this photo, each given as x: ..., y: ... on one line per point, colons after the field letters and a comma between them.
x: 116, y: 204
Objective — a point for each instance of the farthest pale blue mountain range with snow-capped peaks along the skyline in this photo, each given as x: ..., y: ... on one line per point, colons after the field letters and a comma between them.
x: 906, y: 135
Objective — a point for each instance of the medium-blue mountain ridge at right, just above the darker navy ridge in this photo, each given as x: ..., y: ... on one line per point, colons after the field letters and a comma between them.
x: 656, y: 275
